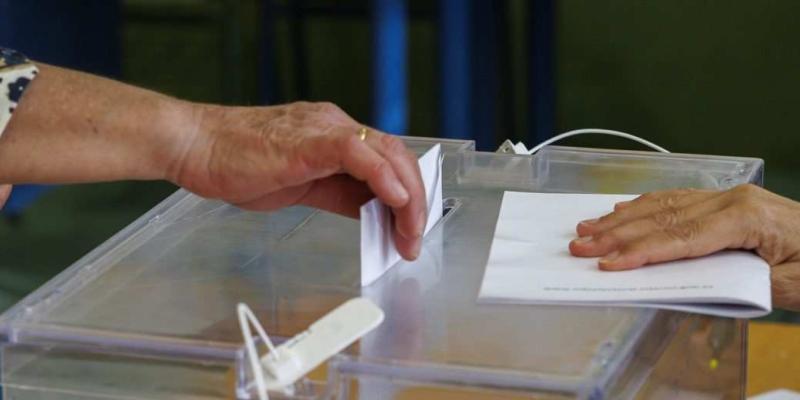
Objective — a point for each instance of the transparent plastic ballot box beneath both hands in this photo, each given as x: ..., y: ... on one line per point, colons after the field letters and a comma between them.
x: 151, y: 313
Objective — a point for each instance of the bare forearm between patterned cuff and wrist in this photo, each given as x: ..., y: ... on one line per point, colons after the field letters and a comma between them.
x: 75, y: 127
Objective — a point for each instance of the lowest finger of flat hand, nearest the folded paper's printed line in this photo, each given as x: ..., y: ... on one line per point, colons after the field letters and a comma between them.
x: 694, y: 238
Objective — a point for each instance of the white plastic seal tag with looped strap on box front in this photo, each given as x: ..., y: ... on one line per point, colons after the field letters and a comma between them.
x: 299, y: 355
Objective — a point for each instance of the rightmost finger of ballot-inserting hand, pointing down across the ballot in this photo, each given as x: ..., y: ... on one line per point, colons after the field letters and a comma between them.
x: 410, y: 219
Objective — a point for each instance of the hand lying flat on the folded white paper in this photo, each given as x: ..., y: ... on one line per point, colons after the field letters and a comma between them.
x: 669, y: 225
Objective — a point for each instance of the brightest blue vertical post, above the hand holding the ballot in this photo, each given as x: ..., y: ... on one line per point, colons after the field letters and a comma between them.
x: 389, y: 68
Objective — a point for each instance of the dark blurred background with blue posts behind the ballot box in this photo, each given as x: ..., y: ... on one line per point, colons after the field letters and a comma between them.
x: 711, y: 77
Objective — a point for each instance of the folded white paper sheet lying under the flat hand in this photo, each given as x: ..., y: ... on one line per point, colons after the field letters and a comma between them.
x: 530, y: 262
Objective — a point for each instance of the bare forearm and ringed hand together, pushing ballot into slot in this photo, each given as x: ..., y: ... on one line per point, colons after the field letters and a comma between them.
x: 72, y: 127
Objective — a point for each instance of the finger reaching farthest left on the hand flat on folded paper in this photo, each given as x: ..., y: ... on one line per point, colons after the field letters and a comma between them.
x: 604, y: 242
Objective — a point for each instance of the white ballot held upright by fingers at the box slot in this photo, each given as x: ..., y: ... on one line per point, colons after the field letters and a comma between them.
x: 378, y: 252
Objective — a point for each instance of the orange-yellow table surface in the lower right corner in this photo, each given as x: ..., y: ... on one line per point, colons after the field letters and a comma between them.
x: 773, y: 357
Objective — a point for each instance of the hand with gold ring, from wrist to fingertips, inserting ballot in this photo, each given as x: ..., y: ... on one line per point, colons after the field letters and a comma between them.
x: 264, y: 158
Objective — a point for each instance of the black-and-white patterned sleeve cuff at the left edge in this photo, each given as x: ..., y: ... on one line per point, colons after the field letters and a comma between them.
x: 16, y: 72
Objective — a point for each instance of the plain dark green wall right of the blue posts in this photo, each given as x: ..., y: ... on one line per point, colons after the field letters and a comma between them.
x: 716, y: 77
